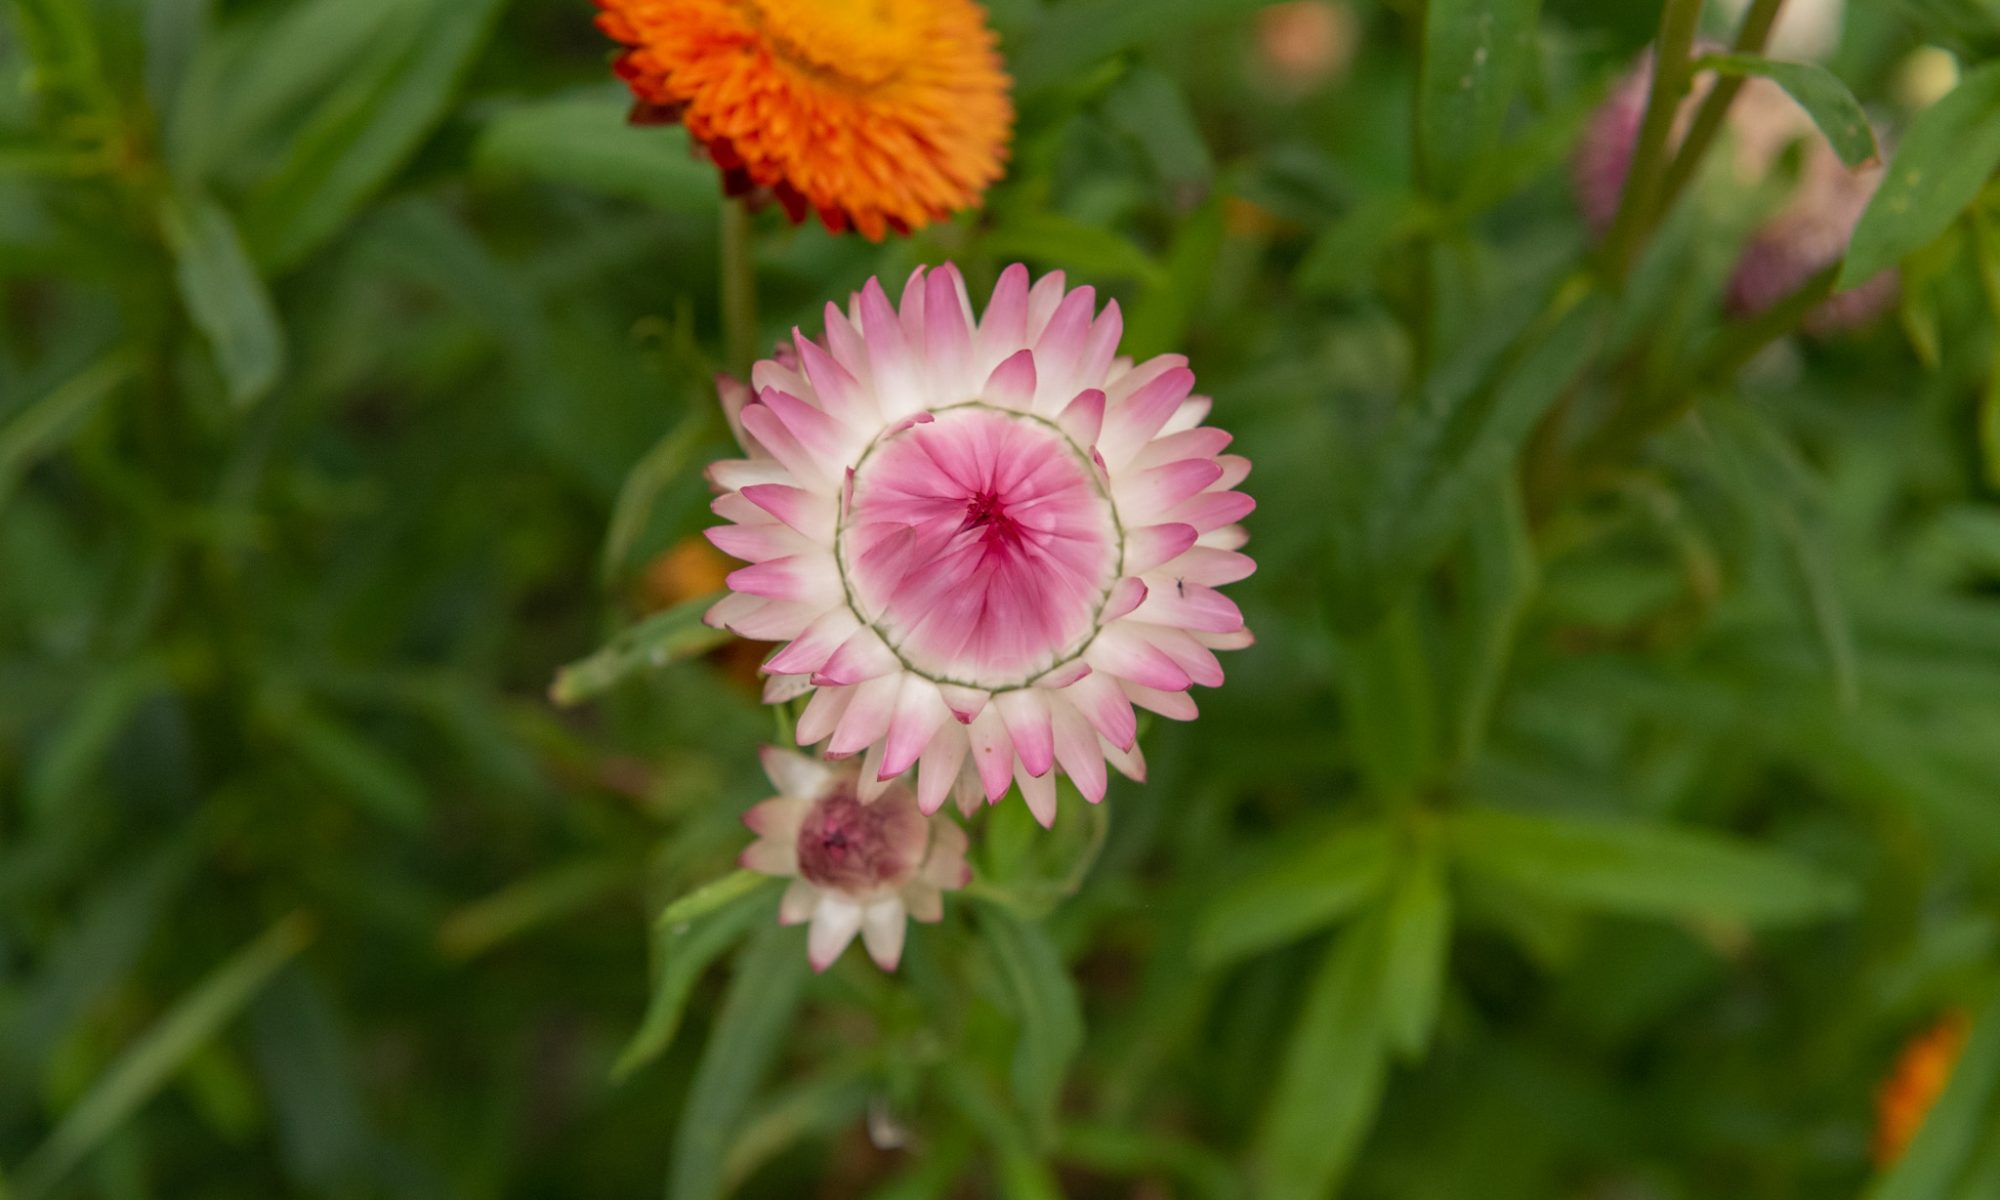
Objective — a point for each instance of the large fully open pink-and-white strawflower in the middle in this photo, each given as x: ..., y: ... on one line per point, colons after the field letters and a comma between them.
x: 983, y: 541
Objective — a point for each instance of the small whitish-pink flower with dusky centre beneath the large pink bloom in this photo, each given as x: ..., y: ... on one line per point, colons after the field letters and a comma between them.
x: 855, y: 865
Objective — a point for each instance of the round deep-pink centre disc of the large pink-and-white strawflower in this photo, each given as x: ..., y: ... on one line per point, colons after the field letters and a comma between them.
x: 981, y: 547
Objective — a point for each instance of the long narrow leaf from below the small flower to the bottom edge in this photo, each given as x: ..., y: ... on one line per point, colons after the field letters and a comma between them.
x: 757, y: 1013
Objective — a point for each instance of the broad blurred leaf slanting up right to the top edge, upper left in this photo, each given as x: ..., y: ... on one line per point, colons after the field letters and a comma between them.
x: 363, y: 131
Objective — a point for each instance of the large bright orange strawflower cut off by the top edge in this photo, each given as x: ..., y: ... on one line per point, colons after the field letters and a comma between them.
x: 879, y: 115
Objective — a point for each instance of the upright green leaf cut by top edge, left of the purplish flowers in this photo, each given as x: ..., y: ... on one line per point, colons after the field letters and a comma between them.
x: 1475, y: 57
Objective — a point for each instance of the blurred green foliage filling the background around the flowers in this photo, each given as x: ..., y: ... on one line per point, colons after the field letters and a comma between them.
x: 1613, y: 791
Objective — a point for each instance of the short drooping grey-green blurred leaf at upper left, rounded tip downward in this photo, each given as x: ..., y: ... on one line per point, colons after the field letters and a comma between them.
x: 225, y: 297
